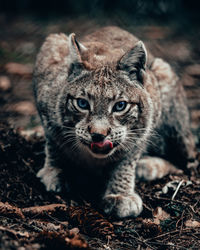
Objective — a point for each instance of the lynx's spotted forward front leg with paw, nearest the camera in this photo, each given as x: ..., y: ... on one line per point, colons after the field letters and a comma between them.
x: 120, y: 198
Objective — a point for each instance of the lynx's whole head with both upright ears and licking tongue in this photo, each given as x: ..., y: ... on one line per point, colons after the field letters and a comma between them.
x: 106, y: 110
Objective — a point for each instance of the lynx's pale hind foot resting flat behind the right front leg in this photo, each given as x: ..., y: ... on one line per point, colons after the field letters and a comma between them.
x: 151, y: 168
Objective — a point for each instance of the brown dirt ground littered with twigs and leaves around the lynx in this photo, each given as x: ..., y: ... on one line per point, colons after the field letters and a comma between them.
x: 30, y: 217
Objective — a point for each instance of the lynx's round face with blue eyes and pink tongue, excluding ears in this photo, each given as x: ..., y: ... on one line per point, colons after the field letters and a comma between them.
x: 104, y: 113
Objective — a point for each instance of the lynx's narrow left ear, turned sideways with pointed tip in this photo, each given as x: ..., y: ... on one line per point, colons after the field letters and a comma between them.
x: 75, y: 61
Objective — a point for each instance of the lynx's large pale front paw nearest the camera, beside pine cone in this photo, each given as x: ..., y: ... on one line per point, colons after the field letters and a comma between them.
x: 122, y: 206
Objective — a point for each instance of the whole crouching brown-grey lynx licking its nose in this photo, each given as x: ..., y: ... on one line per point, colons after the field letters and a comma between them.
x: 111, y: 112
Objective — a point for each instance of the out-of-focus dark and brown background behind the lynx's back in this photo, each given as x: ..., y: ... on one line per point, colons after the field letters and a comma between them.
x: 169, y: 28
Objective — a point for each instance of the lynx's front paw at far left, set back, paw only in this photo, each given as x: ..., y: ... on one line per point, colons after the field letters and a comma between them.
x: 49, y: 177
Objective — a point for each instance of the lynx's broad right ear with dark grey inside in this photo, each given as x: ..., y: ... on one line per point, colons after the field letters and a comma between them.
x: 134, y: 61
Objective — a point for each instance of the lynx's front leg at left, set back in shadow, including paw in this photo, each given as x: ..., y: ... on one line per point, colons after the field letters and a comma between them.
x: 49, y: 174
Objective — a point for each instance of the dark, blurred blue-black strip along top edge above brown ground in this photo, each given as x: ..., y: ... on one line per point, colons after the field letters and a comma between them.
x: 158, y: 10
